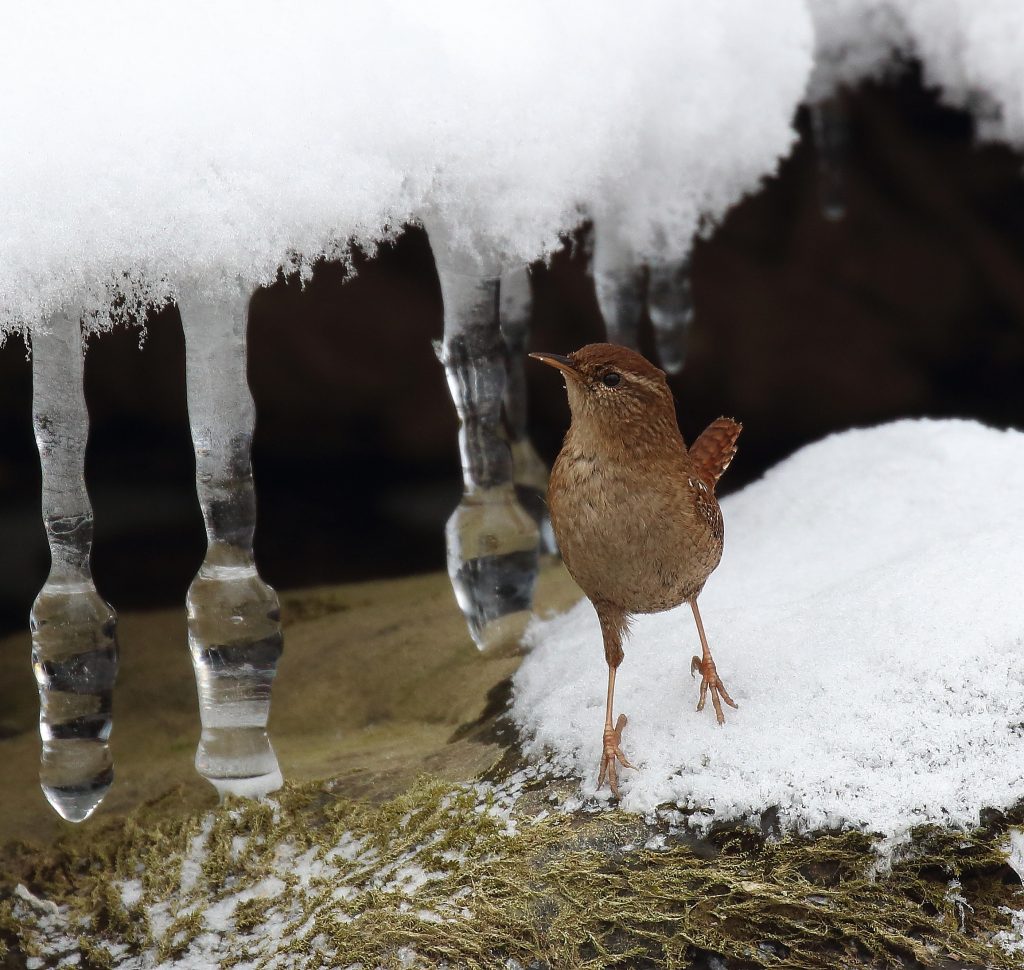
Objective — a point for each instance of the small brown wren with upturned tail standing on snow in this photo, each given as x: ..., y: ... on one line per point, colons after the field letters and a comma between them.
x: 634, y: 510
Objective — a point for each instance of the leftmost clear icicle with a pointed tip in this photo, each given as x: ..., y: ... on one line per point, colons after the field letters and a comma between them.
x: 74, y: 632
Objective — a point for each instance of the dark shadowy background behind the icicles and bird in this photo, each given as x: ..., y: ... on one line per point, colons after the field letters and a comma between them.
x: 911, y: 306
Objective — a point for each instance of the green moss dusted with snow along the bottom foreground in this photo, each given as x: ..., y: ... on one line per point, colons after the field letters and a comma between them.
x: 562, y: 891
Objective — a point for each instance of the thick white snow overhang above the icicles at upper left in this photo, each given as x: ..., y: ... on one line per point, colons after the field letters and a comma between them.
x: 147, y: 149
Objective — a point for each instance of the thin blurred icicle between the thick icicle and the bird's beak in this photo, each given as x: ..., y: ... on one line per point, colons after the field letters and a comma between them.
x: 529, y: 472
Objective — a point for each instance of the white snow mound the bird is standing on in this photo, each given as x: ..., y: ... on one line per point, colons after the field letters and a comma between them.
x: 865, y: 617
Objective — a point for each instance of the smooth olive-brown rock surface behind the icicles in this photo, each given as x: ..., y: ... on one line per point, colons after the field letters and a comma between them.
x: 375, y: 681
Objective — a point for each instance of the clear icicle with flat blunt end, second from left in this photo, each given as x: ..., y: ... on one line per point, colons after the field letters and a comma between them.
x: 234, y: 616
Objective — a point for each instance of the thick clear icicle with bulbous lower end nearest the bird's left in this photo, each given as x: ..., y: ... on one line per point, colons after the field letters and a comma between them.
x: 492, y: 541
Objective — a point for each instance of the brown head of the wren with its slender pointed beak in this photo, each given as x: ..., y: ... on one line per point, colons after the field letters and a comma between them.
x: 613, y: 386
